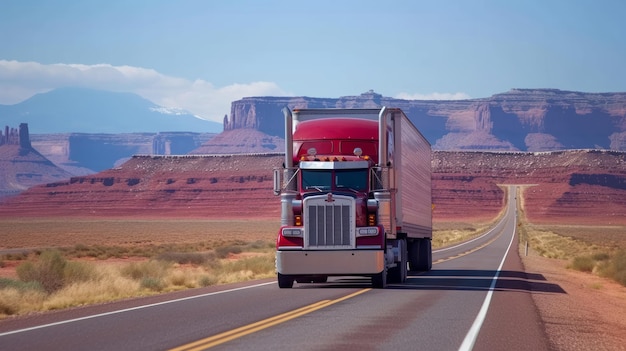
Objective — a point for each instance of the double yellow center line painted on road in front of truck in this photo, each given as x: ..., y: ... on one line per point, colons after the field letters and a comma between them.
x: 264, y: 324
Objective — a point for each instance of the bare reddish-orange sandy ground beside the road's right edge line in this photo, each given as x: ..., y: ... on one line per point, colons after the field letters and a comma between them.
x: 591, y: 315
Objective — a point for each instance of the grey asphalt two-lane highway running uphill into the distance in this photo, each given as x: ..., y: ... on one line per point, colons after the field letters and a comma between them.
x: 477, y: 296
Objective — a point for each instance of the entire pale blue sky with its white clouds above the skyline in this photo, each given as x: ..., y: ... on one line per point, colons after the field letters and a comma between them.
x: 202, y: 55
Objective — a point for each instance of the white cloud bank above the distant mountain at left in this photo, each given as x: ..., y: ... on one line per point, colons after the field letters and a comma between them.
x: 21, y: 80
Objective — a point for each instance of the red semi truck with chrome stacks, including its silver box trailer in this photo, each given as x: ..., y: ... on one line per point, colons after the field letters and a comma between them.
x: 355, y: 196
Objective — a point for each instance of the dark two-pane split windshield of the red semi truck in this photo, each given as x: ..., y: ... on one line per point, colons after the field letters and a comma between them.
x: 322, y: 180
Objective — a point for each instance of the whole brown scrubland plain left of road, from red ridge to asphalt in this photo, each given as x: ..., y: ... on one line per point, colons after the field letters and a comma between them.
x: 95, y: 261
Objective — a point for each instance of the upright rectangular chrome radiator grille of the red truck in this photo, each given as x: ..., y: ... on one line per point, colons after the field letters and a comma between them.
x: 329, y: 224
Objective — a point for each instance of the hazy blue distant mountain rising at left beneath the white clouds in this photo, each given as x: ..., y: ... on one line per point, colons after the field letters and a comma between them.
x: 81, y: 110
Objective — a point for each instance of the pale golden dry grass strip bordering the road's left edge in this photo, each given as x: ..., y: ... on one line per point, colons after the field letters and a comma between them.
x: 109, y: 281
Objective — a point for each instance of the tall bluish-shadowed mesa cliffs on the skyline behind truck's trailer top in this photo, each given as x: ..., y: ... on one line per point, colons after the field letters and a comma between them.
x: 521, y: 119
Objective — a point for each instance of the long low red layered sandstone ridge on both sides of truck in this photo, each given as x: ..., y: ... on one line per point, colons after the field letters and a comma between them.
x: 586, y: 187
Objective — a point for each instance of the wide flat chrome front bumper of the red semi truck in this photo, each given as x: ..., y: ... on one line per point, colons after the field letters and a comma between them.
x: 340, y: 262
